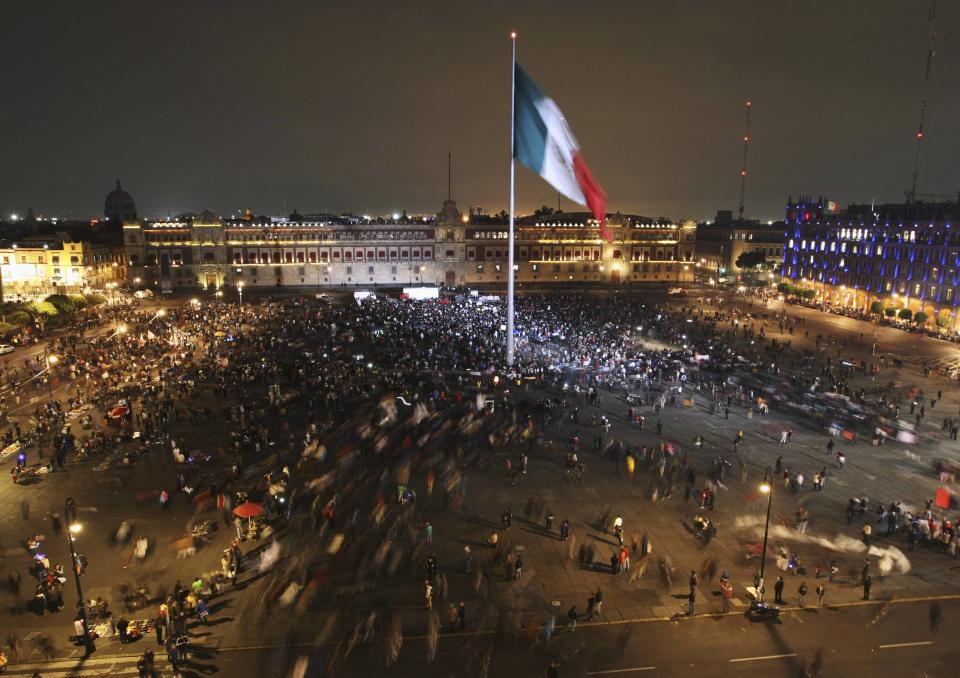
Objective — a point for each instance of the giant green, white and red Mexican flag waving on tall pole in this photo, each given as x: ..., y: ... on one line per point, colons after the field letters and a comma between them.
x: 543, y: 142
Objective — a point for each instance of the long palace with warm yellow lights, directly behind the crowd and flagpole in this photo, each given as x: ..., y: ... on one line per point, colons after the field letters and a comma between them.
x: 449, y: 249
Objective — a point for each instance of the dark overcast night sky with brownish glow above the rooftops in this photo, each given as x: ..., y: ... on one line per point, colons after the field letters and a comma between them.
x: 353, y: 105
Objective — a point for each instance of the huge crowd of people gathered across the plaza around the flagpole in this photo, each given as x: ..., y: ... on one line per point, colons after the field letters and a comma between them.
x: 345, y: 425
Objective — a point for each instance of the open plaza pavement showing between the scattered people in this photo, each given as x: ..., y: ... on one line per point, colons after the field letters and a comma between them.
x: 883, y: 473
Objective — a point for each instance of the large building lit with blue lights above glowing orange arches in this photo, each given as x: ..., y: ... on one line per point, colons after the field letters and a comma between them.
x: 904, y: 255
